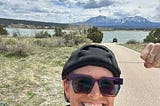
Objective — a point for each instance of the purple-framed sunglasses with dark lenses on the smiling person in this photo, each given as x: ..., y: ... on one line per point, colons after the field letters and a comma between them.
x: 109, y: 86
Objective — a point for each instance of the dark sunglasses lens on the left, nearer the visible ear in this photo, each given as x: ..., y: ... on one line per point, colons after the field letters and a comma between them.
x: 82, y: 84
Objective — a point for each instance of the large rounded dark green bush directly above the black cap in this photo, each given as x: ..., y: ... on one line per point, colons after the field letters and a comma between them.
x: 95, y: 34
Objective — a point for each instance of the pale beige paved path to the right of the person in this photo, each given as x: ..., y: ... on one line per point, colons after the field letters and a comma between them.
x: 141, y: 86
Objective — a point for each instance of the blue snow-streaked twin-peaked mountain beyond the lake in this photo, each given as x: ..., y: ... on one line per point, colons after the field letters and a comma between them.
x: 127, y: 22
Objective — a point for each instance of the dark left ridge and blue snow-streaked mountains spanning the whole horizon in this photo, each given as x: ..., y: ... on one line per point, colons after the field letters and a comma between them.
x: 99, y: 21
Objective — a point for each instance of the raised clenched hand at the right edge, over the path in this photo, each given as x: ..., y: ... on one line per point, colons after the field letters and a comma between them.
x: 151, y: 55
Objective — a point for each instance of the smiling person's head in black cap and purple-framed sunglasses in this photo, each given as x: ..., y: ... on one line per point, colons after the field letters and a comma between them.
x: 91, y: 77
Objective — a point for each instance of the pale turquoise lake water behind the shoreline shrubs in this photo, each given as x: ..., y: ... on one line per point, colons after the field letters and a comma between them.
x: 122, y: 35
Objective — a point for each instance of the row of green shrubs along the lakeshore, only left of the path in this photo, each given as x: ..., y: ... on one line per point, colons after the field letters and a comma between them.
x: 92, y: 33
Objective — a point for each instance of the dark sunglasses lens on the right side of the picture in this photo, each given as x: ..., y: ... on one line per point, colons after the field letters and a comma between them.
x: 107, y: 87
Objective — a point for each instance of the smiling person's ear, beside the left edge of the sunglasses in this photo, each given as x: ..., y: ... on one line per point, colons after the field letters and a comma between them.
x: 66, y: 87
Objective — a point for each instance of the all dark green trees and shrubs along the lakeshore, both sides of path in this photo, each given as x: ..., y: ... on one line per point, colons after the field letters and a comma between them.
x: 92, y: 33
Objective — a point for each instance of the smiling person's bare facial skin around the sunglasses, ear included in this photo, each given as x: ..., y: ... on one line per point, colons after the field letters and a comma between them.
x: 94, y: 98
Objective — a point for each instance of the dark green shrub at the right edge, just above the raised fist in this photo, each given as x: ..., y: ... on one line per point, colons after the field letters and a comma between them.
x: 154, y: 36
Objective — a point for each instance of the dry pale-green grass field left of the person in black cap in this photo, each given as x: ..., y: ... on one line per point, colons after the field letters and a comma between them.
x: 34, y: 80
